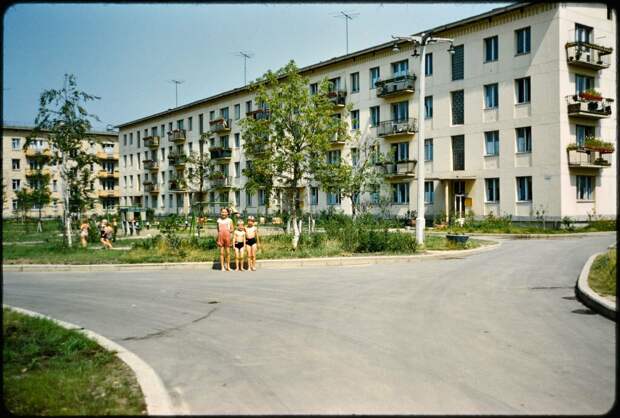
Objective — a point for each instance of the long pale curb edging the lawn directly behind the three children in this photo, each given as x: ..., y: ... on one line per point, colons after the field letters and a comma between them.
x: 269, y: 264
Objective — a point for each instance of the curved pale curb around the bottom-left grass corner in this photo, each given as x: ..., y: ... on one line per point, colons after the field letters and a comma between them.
x: 156, y: 397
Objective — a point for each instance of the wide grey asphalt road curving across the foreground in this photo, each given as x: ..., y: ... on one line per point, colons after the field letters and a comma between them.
x: 497, y: 332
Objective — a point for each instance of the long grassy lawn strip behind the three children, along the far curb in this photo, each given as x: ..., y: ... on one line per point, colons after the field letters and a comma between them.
x: 158, y: 251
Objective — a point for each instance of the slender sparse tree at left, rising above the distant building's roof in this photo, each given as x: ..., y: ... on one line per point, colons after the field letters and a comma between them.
x: 64, y: 120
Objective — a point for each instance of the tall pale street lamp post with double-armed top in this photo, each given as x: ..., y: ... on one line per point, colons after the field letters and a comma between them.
x: 421, y: 41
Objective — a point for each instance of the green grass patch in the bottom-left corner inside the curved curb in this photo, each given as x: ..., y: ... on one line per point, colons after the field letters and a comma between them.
x: 49, y: 370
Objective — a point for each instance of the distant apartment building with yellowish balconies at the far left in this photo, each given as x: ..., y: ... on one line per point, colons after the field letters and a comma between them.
x: 22, y: 168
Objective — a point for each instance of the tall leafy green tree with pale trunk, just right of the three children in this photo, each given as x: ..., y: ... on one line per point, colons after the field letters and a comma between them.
x: 289, y: 143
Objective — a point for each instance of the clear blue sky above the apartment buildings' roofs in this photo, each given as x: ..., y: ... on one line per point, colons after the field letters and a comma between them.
x: 127, y: 53
